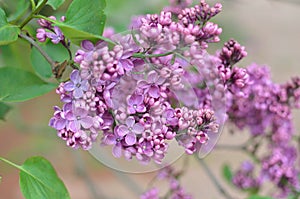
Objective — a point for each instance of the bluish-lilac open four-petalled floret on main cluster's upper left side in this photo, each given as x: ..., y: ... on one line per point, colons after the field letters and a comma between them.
x: 76, y: 85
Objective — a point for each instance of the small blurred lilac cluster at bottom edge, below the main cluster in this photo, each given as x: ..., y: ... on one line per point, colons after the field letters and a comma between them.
x: 176, y: 191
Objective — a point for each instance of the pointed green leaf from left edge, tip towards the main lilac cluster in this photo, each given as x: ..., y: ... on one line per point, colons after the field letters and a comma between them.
x: 20, y: 85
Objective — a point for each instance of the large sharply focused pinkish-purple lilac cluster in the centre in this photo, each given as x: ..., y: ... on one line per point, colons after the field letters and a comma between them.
x: 140, y: 93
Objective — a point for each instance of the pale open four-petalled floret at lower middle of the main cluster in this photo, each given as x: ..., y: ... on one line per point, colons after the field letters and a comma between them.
x: 130, y: 130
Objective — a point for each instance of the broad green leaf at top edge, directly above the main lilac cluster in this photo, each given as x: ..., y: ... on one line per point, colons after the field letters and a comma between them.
x: 84, y: 20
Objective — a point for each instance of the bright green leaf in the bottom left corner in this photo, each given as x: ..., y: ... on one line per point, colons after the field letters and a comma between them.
x: 38, y: 179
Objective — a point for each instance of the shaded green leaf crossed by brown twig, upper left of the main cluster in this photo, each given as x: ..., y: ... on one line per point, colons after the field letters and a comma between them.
x: 39, y: 63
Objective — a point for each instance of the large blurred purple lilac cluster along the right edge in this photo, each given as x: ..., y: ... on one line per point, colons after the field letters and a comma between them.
x: 266, y: 110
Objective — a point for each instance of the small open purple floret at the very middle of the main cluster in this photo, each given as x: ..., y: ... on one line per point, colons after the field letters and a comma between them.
x: 136, y: 104
